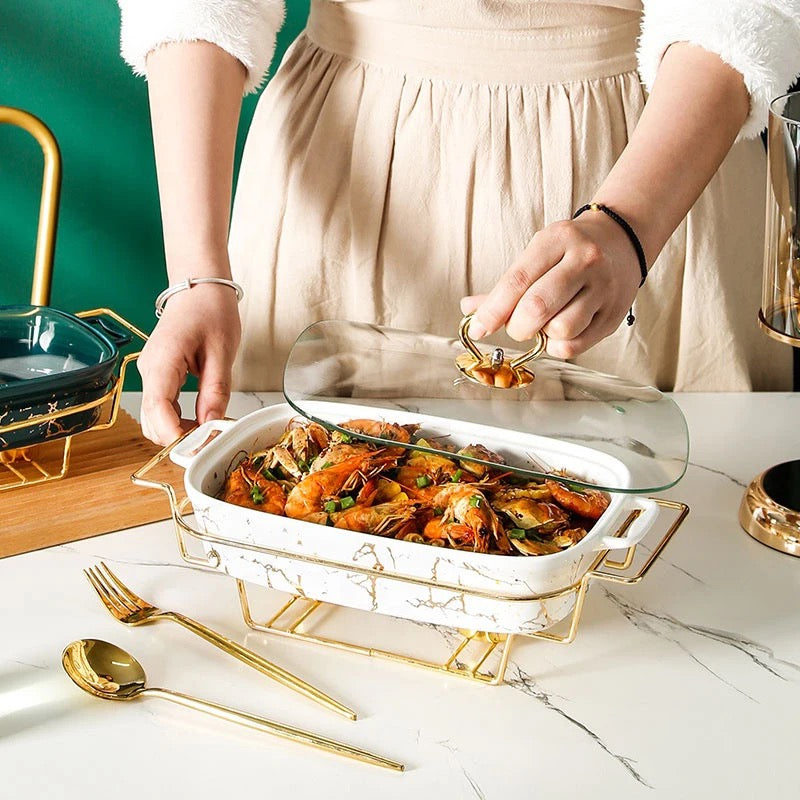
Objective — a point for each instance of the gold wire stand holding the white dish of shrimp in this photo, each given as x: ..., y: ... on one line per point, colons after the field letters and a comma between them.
x: 295, y: 617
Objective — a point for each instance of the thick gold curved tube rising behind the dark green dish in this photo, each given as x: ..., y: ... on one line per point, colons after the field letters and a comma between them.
x: 48, y: 208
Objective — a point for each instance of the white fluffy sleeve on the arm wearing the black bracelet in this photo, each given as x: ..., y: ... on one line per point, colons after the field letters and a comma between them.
x: 759, y: 38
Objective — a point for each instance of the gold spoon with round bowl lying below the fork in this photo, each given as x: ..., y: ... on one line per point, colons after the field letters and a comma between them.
x: 105, y: 670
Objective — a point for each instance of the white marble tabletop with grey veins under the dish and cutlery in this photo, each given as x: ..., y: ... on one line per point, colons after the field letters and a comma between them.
x: 687, y: 685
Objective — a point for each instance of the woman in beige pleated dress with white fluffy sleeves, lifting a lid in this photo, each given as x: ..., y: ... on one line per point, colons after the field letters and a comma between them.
x: 410, y: 161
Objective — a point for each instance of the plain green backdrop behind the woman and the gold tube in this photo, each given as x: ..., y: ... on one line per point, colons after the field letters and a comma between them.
x: 60, y: 60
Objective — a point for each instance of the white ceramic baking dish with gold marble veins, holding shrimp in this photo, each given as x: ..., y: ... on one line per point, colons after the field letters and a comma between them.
x: 430, y: 584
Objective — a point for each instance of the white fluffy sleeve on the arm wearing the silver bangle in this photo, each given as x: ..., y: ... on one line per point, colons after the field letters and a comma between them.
x: 244, y: 28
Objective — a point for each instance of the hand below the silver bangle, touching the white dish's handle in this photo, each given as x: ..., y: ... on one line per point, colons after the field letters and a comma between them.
x: 198, y: 334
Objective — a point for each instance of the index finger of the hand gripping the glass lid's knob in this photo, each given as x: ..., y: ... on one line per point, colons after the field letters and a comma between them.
x: 546, y: 249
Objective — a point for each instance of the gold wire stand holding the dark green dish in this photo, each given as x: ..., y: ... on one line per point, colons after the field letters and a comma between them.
x: 34, y: 472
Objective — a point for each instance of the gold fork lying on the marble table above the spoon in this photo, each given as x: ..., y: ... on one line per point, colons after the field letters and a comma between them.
x: 130, y: 609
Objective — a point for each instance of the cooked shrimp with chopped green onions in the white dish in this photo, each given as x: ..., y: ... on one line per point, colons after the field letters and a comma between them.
x: 442, y: 499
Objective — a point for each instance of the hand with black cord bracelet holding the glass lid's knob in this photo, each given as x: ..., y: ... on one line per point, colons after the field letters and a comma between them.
x: 575, y: 281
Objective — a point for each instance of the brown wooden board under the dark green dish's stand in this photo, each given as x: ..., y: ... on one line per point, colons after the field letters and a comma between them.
x: 95, y: 497
